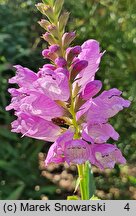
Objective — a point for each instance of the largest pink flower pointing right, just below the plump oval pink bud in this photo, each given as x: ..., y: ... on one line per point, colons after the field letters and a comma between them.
x: 103, y: 107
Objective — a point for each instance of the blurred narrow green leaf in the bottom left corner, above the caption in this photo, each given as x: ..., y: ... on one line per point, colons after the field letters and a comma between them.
x: 16, y: 193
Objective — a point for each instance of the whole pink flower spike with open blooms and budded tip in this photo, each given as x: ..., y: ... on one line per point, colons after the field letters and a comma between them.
x: 60, y: 103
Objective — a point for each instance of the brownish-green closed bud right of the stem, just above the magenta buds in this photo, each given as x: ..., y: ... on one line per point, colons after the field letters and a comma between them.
x: 68, y: 38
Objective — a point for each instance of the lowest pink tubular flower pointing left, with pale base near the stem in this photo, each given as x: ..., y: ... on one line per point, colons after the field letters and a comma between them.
x: 35, y: 127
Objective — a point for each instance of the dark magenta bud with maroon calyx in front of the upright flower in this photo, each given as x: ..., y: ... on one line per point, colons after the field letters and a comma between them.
x: 77, y: 67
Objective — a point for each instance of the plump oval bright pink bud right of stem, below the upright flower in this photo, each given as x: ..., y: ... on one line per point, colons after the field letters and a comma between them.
x: 91, y: 89
